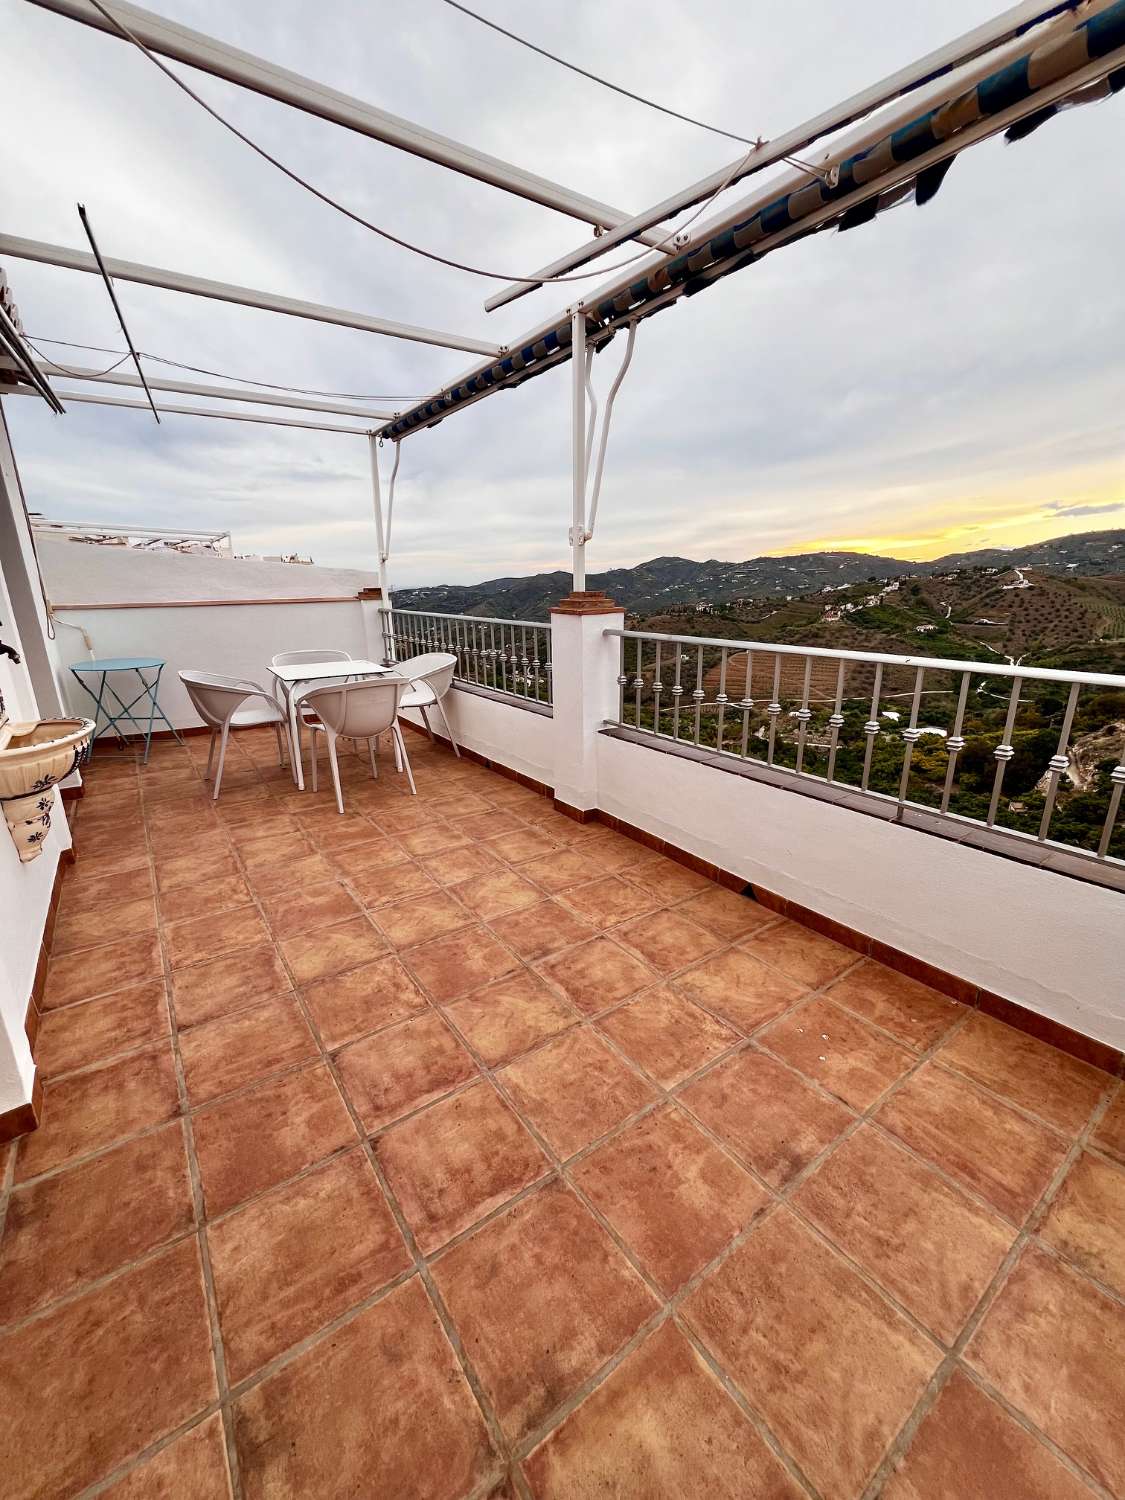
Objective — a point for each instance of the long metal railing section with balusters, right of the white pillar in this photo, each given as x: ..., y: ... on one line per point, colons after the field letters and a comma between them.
x: 1036, y: 752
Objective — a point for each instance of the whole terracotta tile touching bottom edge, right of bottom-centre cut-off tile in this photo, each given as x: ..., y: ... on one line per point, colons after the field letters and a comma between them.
x: 829, y: 1364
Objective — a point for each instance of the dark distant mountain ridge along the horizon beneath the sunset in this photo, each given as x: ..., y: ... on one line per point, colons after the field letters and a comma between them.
x: 664, y: 583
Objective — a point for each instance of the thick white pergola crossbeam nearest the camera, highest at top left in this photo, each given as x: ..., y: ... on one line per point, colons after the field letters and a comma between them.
x: 206, y: 53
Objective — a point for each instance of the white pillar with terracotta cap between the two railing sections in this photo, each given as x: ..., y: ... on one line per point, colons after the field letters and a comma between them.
x: 584, y: 691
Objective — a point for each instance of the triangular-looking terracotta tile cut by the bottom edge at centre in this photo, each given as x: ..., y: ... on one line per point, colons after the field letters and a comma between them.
x: 659, y: 1426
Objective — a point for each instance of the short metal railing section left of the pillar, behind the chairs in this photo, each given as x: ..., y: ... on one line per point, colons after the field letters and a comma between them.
x: 505, y: 656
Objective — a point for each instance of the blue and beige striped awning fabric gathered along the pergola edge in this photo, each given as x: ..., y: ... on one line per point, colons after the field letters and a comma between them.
x: 1043, y: 67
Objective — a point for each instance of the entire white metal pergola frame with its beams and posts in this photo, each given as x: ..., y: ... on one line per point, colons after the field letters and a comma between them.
x: 866, y: 118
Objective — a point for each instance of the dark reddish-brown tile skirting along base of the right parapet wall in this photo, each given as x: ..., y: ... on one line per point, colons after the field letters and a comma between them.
x: 1087, y: 1049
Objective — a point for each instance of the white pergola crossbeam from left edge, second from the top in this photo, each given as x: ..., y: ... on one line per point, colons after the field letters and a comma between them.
x: 226, y: 292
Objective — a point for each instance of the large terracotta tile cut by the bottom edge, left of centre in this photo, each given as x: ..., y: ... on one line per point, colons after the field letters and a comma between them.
x: 377, y: 1409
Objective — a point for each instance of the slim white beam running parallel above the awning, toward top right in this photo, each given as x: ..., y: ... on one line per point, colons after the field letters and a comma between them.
x: 980, y: 44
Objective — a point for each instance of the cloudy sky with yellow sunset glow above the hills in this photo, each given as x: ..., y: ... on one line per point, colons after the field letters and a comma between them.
x: 949, y: 377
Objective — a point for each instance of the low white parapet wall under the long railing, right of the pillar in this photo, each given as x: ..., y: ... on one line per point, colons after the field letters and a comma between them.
x: 1046, y: 941
